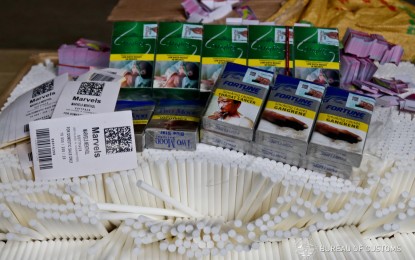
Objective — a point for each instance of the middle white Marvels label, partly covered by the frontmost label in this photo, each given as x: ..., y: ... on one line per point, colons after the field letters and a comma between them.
x: 81, y: 98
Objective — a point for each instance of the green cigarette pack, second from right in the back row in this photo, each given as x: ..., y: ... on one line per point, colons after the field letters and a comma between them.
x: 270, y: 48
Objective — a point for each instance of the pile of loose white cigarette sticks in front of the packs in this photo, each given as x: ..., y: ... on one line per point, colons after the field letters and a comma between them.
x: 212, y: 203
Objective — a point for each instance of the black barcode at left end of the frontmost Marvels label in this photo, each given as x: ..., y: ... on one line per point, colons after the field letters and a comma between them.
x: 44, y: 149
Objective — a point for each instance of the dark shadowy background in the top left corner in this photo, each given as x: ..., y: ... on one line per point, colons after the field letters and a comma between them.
x: 46, y: 24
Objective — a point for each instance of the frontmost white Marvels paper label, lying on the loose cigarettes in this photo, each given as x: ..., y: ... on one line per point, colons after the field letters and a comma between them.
x: 83, y: 145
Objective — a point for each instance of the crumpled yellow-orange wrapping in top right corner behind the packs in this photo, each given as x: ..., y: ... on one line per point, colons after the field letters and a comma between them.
x: 395, y: 20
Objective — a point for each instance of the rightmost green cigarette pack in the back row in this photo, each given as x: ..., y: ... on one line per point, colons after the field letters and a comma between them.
x: 316, y: 55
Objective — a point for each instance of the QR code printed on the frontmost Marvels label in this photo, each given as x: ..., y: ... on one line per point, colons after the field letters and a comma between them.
x: 118, y: 139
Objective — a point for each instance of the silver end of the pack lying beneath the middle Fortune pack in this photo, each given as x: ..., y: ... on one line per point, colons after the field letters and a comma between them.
x: 276, y: 154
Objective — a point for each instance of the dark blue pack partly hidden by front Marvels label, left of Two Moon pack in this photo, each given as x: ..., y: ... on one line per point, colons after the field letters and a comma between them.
x: 141, y: 112
